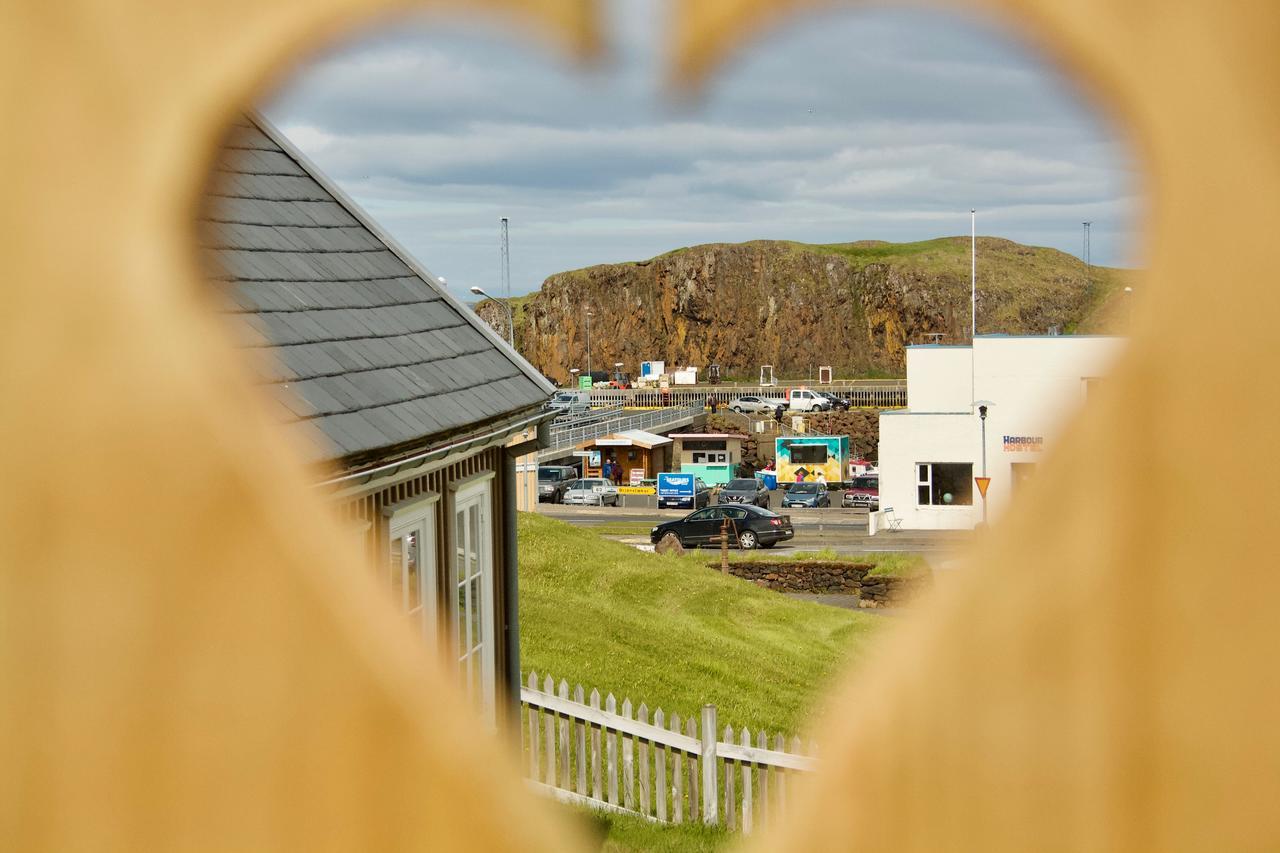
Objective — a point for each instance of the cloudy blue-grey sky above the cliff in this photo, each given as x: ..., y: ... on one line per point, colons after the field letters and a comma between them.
x: 849, y: 125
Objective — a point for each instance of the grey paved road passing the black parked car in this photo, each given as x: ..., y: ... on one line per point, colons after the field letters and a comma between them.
x: 842, y: 531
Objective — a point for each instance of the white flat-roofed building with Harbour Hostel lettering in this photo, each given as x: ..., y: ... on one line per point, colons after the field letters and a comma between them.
x: 931, y: 451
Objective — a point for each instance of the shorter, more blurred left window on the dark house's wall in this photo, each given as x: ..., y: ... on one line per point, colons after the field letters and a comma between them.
x: 412, y: 571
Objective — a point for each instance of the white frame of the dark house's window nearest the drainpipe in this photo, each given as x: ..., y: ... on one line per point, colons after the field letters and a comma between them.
x: 474, y: 495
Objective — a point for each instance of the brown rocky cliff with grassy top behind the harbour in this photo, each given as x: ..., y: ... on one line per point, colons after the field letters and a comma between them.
x: 854, y: 307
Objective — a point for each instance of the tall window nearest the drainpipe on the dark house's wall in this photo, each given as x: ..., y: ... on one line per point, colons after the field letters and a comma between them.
x: 472, y: 603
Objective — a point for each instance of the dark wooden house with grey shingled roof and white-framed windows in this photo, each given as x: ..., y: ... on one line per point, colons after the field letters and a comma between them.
x: 414, y: 408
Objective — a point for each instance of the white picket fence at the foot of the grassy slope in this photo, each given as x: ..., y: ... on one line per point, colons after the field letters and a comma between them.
x: 662, y: 769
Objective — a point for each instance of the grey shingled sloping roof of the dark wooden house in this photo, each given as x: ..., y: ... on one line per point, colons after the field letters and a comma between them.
x: 360, y: 352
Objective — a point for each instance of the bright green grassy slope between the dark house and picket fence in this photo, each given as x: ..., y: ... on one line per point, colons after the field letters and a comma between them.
x: 670, y: 632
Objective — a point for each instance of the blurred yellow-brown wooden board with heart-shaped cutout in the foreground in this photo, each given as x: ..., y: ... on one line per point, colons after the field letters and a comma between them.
x: 182, y: 668
